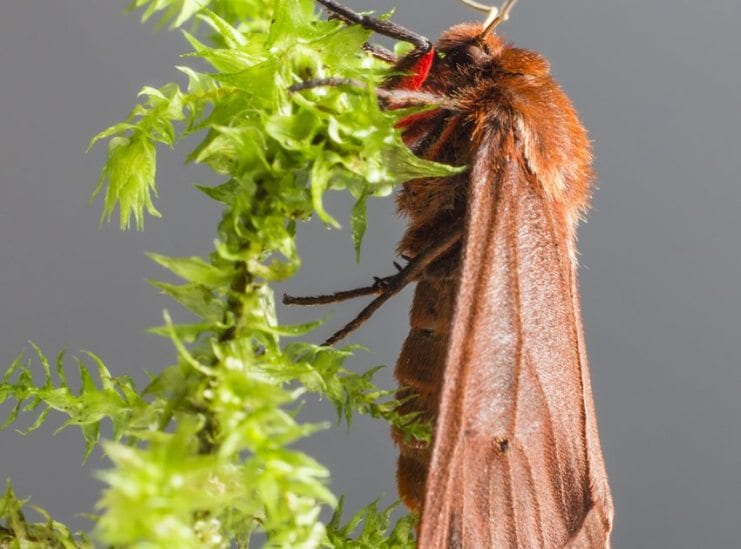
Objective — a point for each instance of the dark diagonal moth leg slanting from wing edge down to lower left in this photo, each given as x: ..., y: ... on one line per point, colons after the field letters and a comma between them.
x: 396, y: 283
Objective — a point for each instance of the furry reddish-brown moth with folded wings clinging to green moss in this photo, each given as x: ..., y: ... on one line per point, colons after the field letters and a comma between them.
x: 495, y: 356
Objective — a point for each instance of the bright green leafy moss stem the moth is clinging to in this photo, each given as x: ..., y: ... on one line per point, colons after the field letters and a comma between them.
x: 202, y: 456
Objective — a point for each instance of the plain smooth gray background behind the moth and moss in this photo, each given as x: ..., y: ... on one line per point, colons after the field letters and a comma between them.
x: 657, y: 84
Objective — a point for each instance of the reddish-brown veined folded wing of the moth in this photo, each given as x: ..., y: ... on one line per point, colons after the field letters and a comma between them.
x: 516, y: 460
